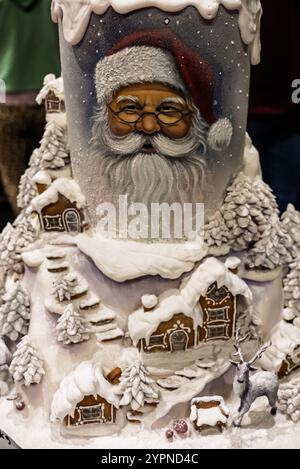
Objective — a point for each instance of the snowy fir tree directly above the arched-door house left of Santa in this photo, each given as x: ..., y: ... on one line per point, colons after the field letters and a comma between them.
x: 54, y: 146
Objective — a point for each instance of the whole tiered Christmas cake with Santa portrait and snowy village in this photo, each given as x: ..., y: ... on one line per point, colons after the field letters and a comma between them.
x: 149, y: 255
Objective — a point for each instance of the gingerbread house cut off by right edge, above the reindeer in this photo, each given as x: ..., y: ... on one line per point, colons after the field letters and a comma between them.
x: 283, y: 356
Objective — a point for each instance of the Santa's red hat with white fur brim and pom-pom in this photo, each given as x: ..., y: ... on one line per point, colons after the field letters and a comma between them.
x: 159, y: 56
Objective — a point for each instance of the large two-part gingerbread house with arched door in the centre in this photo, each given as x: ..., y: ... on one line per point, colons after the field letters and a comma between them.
x: 204, y: 309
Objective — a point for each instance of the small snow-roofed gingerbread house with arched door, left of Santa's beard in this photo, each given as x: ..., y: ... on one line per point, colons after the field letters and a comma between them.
x: 60, y: 206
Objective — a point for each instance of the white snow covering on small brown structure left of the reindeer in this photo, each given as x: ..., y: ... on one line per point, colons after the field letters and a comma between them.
x: 210, y: 416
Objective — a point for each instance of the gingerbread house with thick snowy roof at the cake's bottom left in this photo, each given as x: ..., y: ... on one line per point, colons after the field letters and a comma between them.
x: 85, y: 397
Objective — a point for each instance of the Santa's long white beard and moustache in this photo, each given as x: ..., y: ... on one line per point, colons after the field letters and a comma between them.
x: 175, y: 173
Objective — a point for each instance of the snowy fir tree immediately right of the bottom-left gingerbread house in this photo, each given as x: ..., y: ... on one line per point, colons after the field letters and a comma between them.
x: 137, y: 388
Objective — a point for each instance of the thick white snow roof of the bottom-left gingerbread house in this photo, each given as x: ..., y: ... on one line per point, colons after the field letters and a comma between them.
x: 87, y: 379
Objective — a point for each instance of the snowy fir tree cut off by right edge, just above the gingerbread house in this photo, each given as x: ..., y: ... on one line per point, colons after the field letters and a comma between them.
x: 292, y: 288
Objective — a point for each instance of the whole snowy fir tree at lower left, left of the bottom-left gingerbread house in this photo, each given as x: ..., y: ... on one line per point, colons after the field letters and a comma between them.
x: 27, y: 366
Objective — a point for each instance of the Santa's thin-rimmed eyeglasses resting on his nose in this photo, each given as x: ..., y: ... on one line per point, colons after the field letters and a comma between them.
x: 163, y: 117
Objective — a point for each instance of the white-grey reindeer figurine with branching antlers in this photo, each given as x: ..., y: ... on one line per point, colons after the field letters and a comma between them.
x: 249, y: 388
